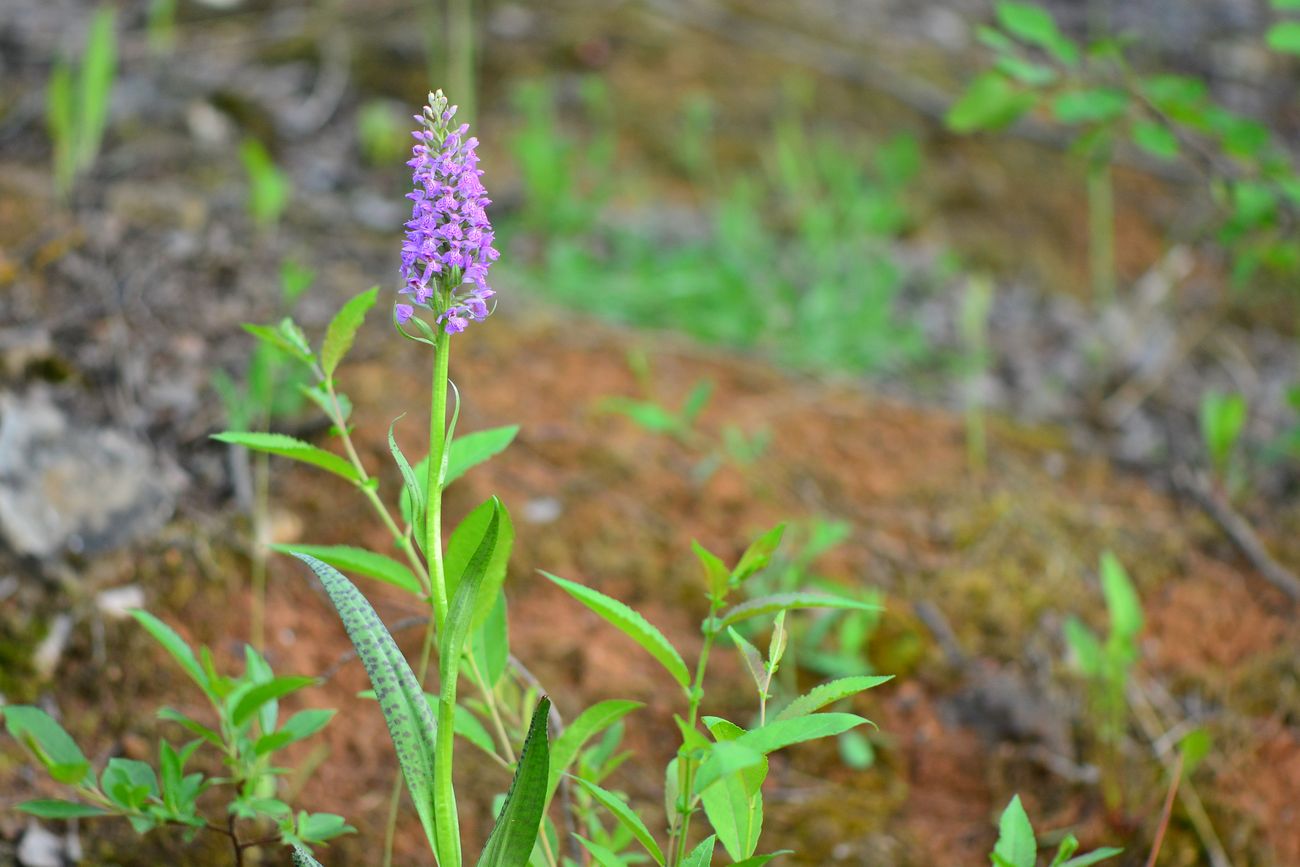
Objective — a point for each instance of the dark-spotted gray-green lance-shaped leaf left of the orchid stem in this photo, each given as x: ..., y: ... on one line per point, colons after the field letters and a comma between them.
x: 401, y: 699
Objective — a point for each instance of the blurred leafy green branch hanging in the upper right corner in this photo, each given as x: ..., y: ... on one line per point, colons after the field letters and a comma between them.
x: 1094, y: 92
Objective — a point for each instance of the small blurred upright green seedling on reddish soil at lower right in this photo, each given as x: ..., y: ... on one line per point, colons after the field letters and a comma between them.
x: 1108, y: 665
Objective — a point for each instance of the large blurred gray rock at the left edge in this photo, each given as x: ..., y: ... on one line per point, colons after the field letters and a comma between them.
x: 73, y: 489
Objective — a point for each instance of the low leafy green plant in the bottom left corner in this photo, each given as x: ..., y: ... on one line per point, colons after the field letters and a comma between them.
x: 249, y: 738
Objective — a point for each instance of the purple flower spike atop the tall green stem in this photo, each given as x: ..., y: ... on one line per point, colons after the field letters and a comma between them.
x: 448, y: 249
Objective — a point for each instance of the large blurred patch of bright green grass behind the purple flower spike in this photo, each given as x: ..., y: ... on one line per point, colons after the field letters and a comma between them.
x: 799, y: 249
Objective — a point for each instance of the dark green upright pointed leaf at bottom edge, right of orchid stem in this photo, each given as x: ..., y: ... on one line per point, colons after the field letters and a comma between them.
x: 515, y: 834
